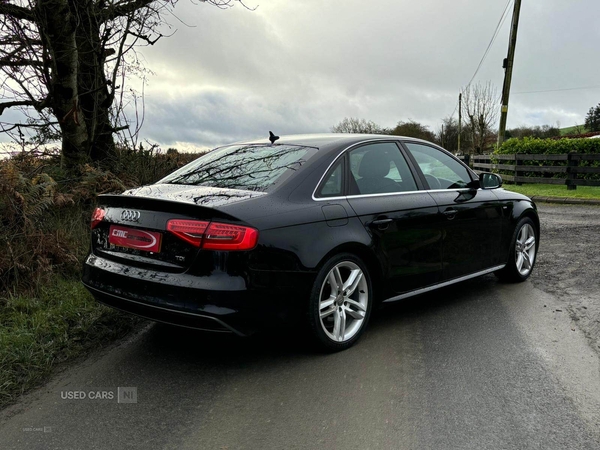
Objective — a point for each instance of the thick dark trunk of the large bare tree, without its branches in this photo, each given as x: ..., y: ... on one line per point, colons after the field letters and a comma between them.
x: 79, y: 96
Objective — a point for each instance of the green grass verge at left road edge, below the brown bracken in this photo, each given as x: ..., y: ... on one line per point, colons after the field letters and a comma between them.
x: 38, y: 332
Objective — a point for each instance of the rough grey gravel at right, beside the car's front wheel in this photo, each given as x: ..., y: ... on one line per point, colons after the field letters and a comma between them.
x: 568, y: 263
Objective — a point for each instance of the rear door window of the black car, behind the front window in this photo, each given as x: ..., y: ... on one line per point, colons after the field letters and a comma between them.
x: 379, y: 168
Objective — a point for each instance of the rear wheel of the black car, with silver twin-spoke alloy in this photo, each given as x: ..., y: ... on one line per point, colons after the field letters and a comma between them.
x: 341, y: 301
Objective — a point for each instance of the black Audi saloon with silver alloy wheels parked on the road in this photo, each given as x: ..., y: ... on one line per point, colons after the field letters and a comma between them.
x: 318, y: 228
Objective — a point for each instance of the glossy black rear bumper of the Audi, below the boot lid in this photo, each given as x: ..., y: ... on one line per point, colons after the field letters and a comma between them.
x: 220, y: 302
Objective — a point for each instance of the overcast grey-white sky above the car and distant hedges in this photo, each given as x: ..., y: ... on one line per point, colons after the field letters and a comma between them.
x: 302, y: 66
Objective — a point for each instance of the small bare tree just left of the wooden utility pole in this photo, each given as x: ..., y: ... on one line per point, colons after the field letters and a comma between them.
x: 480, y: 109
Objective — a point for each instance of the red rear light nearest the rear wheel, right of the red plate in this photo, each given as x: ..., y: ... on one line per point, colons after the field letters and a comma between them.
x: 214, y: 235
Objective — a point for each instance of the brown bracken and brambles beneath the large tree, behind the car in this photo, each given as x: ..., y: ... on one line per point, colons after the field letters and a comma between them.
x: 44, y: 211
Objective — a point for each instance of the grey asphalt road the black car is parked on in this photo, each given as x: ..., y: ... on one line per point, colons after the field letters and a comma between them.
x: 483, y: 365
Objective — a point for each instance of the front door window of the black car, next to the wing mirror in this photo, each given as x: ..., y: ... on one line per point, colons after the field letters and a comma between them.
x: 440, y: 170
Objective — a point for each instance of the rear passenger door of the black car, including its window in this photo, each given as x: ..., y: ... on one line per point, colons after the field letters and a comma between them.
x: 401, y: 219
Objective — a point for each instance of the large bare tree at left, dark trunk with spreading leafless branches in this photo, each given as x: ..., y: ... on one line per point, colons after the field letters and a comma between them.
x: 65, y: 62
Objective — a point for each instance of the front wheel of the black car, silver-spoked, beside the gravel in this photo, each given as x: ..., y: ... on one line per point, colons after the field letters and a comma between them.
x: 522, y: 252
